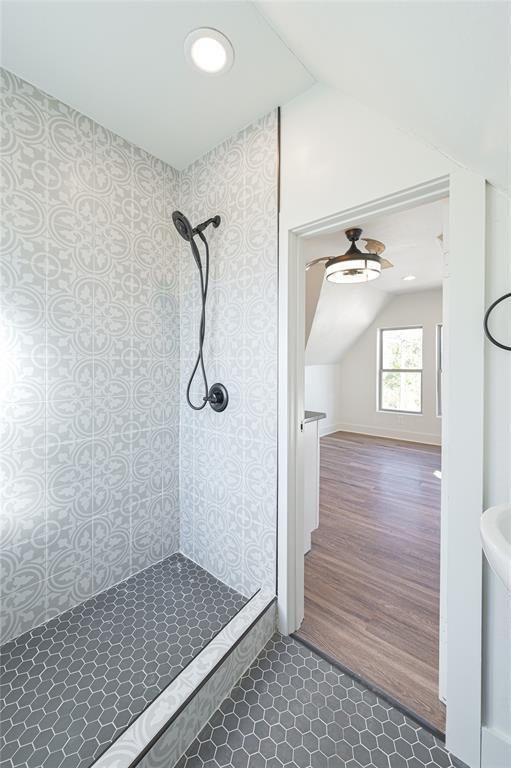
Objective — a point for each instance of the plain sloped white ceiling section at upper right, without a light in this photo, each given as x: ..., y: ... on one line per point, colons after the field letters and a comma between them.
x: 440, y: 70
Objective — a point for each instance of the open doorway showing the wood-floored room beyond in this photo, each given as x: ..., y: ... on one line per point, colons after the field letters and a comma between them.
x: 373, y: 377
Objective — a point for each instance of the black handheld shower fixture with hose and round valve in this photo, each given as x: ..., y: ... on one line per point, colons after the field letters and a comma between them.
x: 216, y: 395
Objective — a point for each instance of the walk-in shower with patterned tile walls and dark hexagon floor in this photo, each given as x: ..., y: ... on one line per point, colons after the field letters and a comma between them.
x: 108, y: 481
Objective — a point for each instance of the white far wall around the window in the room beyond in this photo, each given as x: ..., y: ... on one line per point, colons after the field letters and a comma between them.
x: 358, y: 374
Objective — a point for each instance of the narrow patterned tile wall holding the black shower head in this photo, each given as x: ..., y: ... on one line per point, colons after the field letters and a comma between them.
x: 228, y: 461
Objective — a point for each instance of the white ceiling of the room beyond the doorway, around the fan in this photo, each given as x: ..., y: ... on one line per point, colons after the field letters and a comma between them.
x: 343, y: 312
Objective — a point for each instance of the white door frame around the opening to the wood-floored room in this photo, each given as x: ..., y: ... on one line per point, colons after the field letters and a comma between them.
x: 462, y: 459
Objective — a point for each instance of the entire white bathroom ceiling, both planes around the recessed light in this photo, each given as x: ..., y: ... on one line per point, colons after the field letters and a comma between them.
x: 440, y: 70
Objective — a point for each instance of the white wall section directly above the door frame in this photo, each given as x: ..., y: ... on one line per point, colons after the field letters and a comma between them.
x: 336, y: 154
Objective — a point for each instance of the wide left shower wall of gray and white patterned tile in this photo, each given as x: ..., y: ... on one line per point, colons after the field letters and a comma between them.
x: 89, y: 358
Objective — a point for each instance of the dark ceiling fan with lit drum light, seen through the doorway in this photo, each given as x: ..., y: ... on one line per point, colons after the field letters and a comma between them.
x: 355, y: 266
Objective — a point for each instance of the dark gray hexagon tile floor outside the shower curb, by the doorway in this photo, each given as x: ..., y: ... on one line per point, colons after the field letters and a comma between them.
x: 292, y: 709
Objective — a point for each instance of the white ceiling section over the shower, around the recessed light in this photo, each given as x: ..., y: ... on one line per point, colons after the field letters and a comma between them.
x: 122, y: 64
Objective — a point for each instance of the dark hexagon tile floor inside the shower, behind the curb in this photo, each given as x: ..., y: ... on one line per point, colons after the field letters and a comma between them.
x: 71, y: 686
